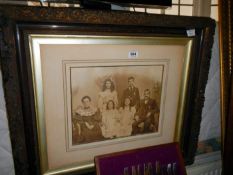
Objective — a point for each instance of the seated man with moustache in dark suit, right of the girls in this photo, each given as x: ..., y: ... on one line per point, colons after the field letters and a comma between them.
x: 146, y: 118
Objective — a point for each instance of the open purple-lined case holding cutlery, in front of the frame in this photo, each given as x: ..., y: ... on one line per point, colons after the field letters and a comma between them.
x: 159, y: 159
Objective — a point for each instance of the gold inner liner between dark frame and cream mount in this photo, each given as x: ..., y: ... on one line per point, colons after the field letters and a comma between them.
x: 34, y: 45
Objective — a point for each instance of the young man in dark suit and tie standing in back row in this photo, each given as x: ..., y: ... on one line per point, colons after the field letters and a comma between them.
x: 132, y: 93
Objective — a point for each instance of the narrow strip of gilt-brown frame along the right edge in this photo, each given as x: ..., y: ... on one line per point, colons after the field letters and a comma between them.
x: 226, y: 52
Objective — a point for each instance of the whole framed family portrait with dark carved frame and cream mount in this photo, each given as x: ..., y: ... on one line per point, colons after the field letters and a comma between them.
x: 81, y: 83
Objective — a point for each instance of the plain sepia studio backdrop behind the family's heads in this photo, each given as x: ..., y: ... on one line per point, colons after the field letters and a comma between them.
x: 90, y: 80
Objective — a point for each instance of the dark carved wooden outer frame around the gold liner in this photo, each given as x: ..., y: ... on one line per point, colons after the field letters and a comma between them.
x: 18, y: 21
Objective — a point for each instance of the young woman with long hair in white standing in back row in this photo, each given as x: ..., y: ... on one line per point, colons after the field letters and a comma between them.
x: 108, y: 93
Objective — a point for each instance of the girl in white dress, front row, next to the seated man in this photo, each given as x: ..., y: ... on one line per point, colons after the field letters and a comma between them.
x: 127, y: 117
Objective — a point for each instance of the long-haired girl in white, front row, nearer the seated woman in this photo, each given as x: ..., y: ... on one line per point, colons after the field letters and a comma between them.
x: 110, y: 121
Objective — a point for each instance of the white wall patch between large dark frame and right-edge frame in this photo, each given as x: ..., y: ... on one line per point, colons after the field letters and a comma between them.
x: 210, y: 124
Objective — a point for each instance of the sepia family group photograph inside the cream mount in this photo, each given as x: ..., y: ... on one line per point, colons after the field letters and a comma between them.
x: 110, y: 102
